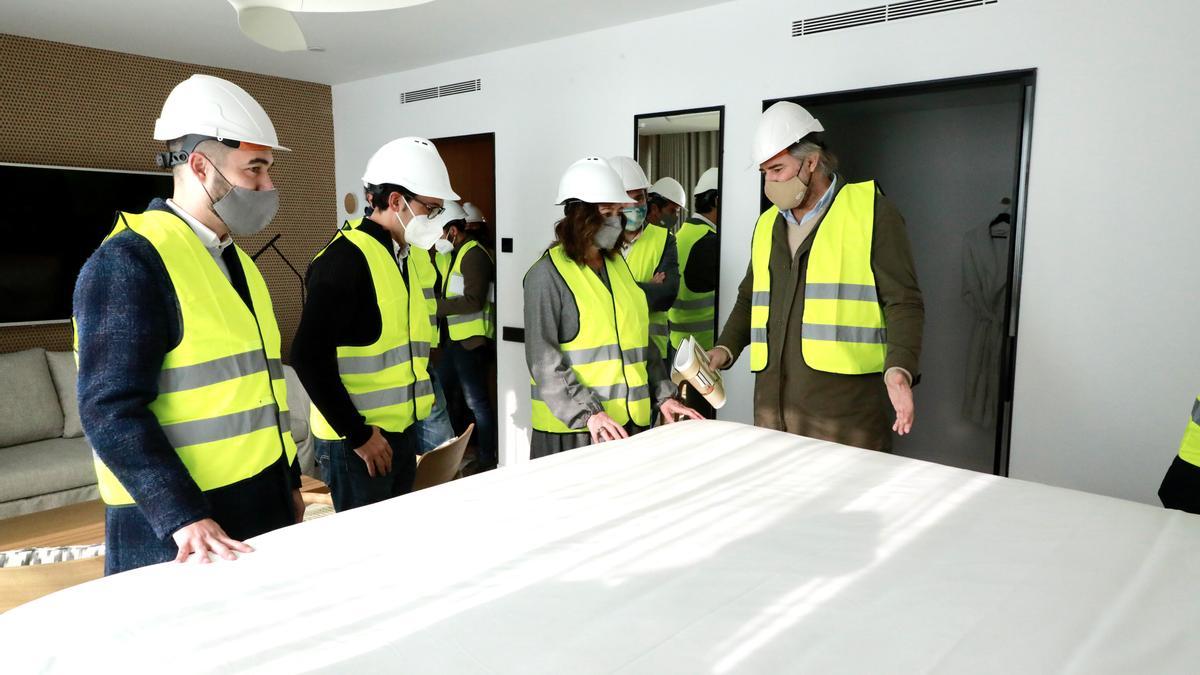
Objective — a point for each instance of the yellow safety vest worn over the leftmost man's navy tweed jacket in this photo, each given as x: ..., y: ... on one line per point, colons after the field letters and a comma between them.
x: 223, y: 399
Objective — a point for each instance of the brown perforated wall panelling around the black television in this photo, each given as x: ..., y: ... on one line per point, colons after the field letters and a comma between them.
x: 64, y: 105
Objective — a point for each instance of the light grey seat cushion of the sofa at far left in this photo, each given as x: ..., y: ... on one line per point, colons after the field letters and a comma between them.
x: 45, y: 468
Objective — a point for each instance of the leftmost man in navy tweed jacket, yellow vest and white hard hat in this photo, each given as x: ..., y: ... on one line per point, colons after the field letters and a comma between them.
x: 182, y: 390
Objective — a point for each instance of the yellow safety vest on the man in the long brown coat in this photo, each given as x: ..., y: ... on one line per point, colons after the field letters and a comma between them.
x: 844, y: 330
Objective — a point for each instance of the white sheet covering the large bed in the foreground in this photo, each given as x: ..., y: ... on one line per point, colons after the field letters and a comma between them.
x: 706, y: 547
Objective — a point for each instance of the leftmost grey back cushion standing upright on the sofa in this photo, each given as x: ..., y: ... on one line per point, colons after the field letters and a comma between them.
x: 29, y: 404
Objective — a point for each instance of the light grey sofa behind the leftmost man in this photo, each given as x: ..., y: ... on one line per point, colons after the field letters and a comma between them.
x: 45, y: 458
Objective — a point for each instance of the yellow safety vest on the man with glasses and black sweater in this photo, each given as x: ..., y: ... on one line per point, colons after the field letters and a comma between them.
x: 388, y: 381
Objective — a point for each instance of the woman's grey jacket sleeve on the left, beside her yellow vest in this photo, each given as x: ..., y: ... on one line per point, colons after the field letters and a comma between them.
x: 551, y: 319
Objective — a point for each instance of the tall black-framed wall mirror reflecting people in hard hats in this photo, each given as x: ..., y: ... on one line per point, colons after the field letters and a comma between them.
x: 681, y: 154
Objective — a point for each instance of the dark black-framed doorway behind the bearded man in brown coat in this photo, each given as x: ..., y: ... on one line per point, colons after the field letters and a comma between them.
x: 953, y: 157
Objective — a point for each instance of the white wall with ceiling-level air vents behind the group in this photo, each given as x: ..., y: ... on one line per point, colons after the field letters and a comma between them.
x: 1107, y: 365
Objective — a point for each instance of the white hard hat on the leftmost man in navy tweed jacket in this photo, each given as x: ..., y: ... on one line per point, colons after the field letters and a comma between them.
x: 209, y: 106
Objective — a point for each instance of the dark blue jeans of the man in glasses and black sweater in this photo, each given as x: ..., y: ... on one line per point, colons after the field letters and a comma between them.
x: 346, y: 473
